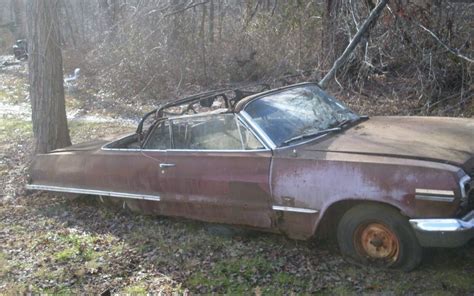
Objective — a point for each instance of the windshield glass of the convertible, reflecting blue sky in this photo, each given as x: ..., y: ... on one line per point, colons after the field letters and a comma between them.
x: 298, y: 111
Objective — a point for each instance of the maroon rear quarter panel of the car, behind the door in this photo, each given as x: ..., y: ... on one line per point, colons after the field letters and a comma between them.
x: 120, y: 171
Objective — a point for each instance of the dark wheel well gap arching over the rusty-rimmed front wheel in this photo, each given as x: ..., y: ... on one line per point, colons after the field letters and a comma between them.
x: 326, y: 228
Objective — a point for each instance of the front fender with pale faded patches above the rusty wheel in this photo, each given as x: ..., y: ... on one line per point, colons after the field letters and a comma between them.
x: 316, y: 180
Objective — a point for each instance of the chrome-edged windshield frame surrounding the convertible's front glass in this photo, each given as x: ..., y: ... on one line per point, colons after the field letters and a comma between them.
x: 269, y: 141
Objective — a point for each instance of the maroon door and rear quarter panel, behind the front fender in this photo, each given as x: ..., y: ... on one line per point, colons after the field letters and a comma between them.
x: 225, y: 187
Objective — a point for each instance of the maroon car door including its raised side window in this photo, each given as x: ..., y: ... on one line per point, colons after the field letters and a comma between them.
x: 218, y: 171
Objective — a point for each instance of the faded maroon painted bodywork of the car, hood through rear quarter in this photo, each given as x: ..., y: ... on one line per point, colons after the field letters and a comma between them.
x: 381, y: 160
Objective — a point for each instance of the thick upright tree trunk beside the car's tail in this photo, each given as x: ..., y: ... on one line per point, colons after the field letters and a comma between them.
x: 46, y: 77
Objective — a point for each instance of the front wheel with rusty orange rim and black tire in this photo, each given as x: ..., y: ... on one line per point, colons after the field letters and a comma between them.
x: 379, y: 236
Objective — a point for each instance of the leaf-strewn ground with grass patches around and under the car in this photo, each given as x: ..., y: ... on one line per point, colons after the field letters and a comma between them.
x: 63, y: 245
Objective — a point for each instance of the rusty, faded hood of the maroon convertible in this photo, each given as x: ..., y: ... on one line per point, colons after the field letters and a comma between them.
x: 448, y: 140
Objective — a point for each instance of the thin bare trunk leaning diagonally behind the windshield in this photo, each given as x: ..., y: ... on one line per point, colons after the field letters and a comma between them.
x: 352, y: 45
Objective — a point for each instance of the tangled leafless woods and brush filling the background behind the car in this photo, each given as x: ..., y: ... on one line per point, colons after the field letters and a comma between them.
x: 149, y: 50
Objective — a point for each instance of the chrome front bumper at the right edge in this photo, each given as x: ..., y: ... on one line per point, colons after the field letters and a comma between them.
x: 444, y: 232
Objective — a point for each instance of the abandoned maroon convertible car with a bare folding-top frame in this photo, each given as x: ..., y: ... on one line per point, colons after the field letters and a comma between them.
x: 292, y: 160
